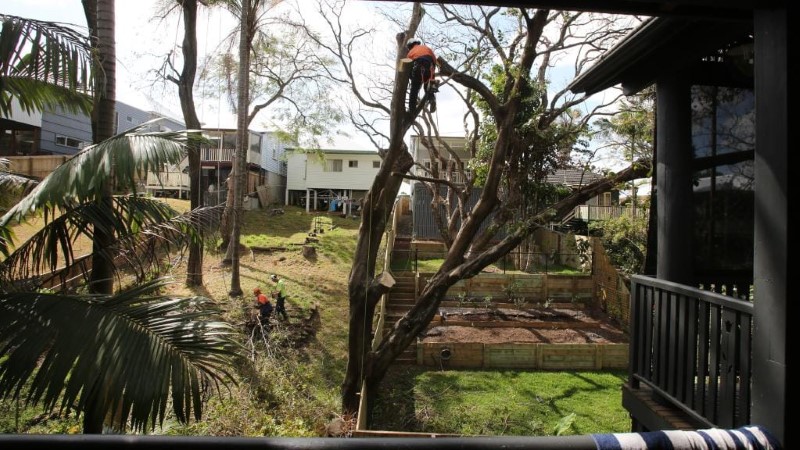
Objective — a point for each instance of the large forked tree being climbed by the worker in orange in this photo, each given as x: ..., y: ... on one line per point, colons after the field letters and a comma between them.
x: 500, y: 60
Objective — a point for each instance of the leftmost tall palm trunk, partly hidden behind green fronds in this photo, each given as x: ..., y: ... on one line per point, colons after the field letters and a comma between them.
x: 101, y: 23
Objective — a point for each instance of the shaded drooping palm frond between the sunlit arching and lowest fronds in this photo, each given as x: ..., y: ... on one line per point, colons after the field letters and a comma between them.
x: 147, y: 230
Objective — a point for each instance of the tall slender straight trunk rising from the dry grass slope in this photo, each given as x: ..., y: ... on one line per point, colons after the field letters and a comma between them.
x: 242, y: 147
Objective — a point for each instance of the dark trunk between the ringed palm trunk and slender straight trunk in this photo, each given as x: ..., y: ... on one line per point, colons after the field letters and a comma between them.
x: 194, y: 270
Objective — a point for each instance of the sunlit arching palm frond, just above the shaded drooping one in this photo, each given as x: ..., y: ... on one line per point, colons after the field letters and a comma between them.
x: 118, y: 161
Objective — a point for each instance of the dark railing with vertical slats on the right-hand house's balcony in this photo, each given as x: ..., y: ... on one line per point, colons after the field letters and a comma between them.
x: 692, y: 347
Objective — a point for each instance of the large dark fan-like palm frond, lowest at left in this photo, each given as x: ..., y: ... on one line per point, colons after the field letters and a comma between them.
x: 141, y: 348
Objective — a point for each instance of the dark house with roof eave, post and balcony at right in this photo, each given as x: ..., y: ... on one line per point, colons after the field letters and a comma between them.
x: 711, y: 319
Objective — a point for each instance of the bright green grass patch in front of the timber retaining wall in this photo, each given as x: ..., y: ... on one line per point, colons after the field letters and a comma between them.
x: 501, y: 403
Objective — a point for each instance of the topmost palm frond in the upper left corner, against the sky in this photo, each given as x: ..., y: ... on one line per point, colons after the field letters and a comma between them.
x: 48, y: 52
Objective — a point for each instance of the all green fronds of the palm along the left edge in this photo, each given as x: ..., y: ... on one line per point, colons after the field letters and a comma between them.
x: 119, y: 358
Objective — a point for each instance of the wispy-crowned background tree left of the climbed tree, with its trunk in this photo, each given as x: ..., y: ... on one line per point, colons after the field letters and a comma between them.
x: 278, y: 70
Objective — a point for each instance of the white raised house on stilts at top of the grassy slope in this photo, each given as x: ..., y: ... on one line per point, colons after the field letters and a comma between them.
x: 330, y: 180
